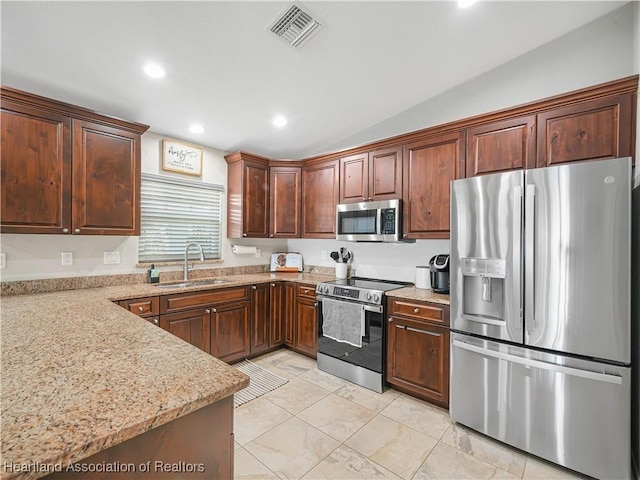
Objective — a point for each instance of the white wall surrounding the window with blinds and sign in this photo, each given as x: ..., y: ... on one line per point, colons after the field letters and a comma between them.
x: 38, y: 256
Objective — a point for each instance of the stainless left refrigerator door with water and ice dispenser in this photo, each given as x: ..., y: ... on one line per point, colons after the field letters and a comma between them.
x: 486, y: 255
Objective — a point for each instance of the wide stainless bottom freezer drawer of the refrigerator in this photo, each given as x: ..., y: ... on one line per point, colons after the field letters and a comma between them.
x: 573, y: 412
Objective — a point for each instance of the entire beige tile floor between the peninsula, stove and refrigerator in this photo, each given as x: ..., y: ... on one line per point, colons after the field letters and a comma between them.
x: 319, y: 426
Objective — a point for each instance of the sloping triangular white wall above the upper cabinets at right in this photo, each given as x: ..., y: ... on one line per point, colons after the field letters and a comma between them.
x: 601, y: 51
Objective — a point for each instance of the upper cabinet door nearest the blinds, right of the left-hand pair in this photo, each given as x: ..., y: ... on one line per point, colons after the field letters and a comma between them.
x: 106, y: 180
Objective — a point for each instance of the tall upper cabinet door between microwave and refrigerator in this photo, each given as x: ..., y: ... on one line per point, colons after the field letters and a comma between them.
x: 429, y: 167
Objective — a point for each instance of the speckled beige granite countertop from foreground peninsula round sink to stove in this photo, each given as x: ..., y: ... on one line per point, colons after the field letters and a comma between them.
x: 81, y: 374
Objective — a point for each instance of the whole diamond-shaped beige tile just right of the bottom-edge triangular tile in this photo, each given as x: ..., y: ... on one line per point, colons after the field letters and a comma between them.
x: 392, y: 445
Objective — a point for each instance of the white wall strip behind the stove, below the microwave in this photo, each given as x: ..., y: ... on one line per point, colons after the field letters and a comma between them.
x: 392, y: 261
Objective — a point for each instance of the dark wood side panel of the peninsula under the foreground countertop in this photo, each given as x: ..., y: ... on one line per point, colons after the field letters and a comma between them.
x: 201, y: 442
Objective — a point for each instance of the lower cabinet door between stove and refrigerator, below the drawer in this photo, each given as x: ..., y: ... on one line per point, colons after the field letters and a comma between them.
x: 418, y: 359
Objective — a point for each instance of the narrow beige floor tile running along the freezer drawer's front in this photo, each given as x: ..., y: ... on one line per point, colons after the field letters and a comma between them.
x: 485, y: 449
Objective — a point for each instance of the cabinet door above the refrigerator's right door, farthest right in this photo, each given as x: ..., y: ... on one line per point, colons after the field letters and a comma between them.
x: 595, y: 129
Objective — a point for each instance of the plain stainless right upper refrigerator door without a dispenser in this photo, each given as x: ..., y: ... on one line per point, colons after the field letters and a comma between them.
x: 577, y: 259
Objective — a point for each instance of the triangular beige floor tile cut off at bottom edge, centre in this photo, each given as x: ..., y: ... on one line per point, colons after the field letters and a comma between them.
x: 347, y: 464
